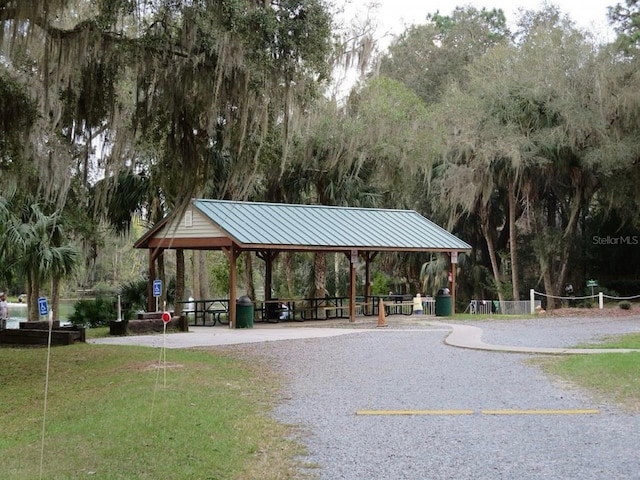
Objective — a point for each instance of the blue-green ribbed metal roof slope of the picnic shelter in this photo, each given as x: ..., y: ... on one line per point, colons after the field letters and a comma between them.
x: 275, y: 224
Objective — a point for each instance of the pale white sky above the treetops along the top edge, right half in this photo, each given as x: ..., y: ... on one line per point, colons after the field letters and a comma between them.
x: 393, y: 15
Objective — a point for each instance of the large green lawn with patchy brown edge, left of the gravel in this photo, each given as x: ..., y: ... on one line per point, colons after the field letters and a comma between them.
x: 110, y: 415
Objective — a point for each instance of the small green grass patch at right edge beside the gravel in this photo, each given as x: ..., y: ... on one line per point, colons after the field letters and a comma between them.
x: 614, y: 376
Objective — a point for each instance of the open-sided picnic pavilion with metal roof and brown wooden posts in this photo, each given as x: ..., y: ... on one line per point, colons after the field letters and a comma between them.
x: 270, y: 228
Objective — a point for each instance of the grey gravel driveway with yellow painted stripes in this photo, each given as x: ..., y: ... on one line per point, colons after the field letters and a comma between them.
x: 399, y: 369
